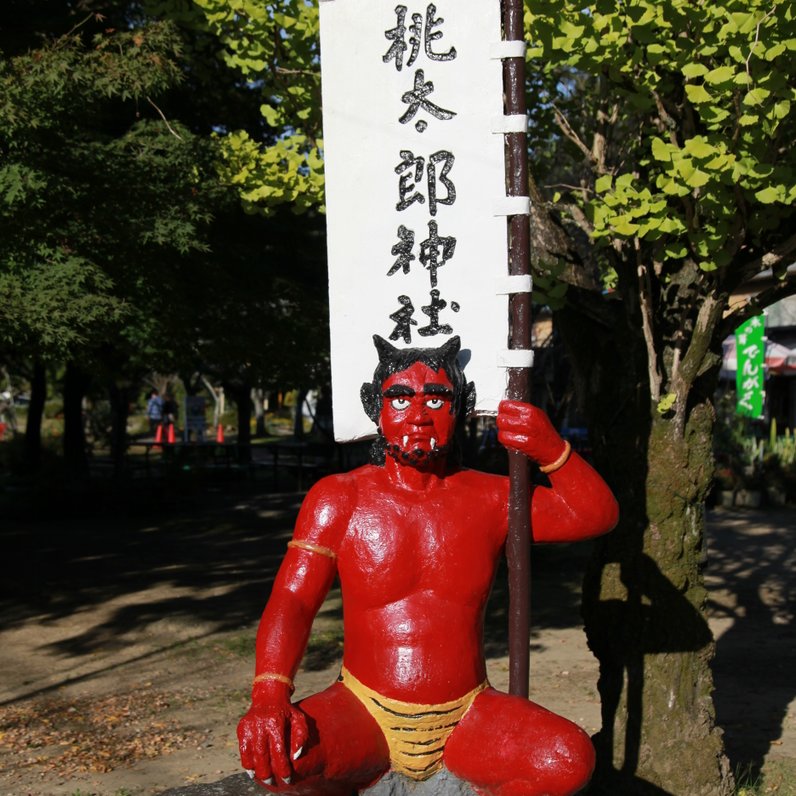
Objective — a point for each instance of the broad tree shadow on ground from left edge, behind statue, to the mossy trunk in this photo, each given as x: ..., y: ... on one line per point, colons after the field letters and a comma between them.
x: 217, y: 550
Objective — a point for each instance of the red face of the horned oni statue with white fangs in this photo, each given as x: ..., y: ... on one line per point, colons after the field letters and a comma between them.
x: 416, y: 413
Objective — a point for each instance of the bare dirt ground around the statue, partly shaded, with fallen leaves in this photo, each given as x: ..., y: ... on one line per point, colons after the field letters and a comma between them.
x: 126, y: 645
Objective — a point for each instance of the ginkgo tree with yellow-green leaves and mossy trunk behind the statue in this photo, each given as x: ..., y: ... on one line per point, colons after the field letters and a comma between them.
x: 663, y: 181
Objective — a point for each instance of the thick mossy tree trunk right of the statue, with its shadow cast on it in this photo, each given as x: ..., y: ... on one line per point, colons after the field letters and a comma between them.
x: 644, y: 594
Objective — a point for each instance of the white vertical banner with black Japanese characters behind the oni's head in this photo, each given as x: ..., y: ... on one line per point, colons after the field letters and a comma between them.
x: 415, y: 189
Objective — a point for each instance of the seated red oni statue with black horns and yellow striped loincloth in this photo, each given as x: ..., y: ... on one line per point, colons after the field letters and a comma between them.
x: 415, y: 540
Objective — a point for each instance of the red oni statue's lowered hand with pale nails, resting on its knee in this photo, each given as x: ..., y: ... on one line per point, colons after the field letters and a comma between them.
x: 271, y: 737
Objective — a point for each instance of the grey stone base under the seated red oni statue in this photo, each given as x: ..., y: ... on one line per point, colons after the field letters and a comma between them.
x: 391, y: 784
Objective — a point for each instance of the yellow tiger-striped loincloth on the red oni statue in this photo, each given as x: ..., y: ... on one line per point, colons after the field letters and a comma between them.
x: 416, y: 734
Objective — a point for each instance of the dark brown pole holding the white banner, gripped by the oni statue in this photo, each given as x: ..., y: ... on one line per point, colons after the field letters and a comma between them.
x: 518, y: 545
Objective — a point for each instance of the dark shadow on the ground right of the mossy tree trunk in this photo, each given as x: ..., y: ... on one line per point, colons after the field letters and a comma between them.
x: 753, y: 558
